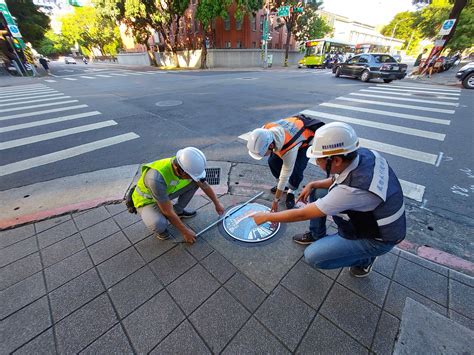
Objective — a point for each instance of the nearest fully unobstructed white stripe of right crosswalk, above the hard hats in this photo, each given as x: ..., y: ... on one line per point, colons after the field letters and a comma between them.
x: 378, y: 125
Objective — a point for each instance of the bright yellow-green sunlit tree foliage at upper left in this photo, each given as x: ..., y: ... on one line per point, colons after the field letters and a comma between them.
x: 86, y: 28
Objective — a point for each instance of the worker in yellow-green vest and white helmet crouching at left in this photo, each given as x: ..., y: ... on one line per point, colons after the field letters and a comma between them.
x: 167, y: 179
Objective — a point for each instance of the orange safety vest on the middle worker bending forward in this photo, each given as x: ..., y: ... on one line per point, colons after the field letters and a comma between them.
x: 291, y: 125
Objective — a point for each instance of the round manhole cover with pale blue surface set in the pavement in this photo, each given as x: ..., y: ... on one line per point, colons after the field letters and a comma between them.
x: 242, y: 227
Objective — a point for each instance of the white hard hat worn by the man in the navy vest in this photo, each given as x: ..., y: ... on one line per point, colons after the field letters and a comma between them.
x: 335, y: 138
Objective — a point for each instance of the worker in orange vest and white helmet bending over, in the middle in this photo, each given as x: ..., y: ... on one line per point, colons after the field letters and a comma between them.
x: 285, y: 142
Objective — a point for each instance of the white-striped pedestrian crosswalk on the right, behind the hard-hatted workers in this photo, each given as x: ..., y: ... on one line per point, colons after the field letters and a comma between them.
x: 399, y: 120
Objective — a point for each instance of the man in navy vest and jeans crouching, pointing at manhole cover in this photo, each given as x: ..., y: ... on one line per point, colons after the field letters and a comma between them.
x: 363, y: 195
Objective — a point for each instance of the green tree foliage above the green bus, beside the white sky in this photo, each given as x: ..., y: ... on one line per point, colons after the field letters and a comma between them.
x: 311, y: 25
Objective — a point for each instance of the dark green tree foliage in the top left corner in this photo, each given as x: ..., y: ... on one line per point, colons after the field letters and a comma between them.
x: 33, y: 24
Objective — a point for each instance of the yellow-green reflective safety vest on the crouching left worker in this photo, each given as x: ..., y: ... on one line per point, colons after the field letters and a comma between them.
x: 142, y: 196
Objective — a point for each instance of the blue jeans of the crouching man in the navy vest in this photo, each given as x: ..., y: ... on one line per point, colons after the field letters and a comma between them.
x: 334, y: 251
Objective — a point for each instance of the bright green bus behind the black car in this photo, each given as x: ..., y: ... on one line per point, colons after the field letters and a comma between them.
x: 317, y: 50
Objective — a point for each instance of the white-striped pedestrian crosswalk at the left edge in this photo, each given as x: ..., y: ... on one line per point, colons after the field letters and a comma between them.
x: 37, y: 113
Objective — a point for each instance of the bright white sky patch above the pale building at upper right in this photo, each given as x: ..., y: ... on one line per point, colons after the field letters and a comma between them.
x: 372, y: 12
